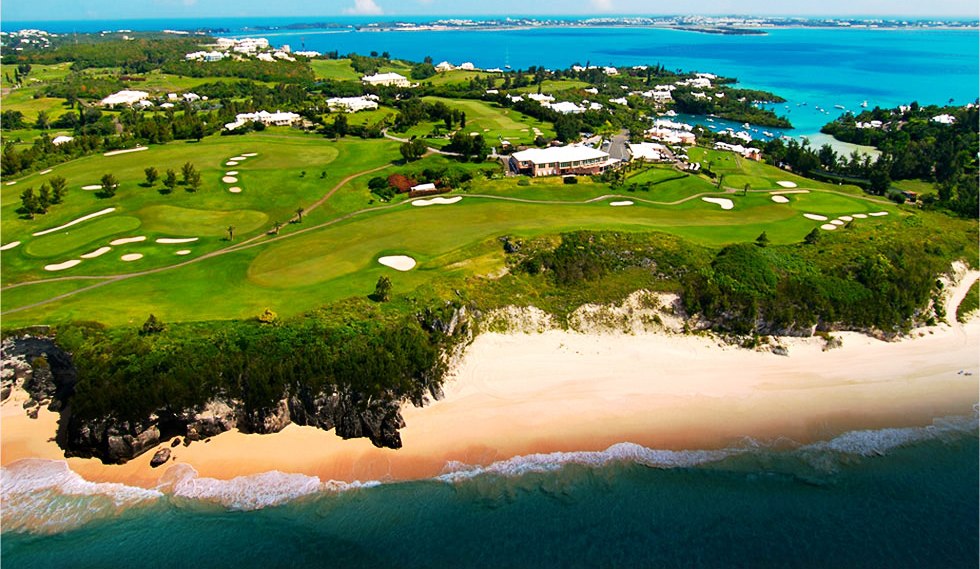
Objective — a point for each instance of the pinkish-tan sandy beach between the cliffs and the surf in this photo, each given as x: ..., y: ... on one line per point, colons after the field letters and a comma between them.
x: 521, y: 394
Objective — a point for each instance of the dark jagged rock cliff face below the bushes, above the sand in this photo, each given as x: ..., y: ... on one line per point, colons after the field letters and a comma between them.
x: 46, y: 371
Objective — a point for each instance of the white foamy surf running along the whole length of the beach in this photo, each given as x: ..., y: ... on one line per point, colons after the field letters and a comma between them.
x: 45, y: 496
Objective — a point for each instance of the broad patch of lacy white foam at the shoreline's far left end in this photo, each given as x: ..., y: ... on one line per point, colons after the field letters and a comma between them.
x: 45, y: 496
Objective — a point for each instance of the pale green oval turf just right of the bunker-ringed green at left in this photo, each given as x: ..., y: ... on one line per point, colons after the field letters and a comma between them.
x: 186, y: 222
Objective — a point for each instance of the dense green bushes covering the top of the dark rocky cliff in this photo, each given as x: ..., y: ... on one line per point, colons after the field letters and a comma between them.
x: 133, y: 372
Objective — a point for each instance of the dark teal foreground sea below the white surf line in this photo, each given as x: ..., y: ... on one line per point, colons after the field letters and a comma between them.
x: 915, y: 506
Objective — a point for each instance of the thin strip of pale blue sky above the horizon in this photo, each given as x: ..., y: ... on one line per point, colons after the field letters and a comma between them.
x: 48, y: 10
